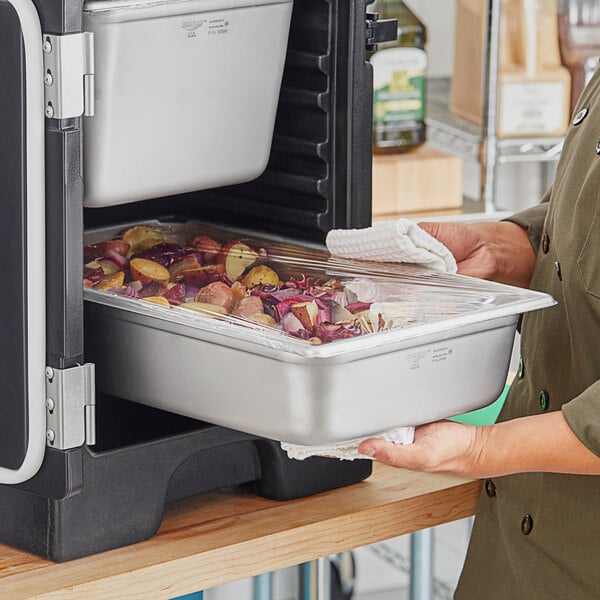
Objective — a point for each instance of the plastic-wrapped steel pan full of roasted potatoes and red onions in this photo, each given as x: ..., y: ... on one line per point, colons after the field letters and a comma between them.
x: 285, y: 341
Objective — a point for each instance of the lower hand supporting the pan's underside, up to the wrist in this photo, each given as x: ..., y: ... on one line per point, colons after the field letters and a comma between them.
x: 442, y: 447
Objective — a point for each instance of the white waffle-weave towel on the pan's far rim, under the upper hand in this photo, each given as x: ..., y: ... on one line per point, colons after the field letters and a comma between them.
x: 401, y: 241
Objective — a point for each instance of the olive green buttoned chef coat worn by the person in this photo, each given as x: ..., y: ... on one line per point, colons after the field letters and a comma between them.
x: 537, y: 535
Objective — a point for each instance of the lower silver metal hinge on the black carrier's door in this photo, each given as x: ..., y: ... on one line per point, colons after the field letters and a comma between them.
x: 70, y: 407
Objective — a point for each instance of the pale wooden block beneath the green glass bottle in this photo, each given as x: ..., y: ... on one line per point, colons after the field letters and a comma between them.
x: 422, y: 180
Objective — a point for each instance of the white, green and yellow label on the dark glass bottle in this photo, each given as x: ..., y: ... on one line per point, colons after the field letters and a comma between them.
x: 399, y: 84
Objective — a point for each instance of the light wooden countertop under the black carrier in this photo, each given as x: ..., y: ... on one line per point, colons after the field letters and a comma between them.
x: 221, y: 537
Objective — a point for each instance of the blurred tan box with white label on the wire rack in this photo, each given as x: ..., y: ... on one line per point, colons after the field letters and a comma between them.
x: 533, y: 87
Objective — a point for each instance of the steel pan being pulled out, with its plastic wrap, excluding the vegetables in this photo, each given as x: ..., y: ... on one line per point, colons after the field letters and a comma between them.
x: 448, y: 351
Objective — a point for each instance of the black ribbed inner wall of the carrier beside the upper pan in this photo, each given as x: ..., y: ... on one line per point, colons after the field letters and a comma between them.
x: 319, y: 173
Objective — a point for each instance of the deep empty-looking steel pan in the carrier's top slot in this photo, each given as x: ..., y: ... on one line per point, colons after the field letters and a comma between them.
x: 186, y: 95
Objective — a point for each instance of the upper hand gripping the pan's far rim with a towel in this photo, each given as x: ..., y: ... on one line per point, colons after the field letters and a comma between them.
x: 499, y: 251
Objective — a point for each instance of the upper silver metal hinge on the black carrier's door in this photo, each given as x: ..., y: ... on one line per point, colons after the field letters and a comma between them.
x: 68, y: 75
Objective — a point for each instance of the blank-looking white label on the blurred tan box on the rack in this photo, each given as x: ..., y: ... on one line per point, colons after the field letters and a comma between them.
x: 532, y: 108
